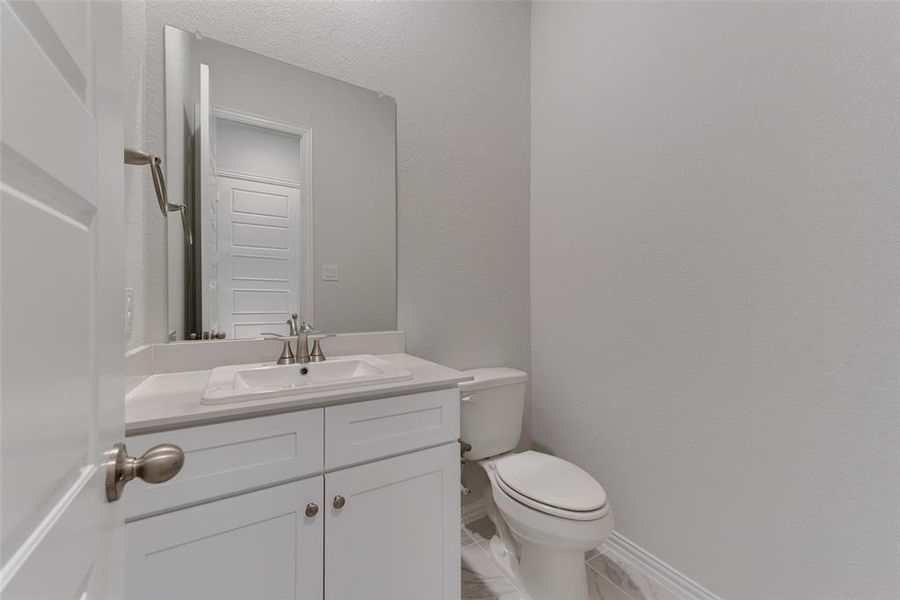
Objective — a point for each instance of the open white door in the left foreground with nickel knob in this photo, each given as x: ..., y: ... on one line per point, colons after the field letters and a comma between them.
x: 62, y: 325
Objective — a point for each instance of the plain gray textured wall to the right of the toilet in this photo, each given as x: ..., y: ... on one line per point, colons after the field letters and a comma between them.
x: 719, y: 182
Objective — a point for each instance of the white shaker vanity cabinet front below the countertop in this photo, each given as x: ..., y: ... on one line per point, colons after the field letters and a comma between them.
x: 353, y: 501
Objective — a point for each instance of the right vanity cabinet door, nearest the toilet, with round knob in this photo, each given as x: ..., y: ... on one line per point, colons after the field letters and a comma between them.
x: 392, y: 528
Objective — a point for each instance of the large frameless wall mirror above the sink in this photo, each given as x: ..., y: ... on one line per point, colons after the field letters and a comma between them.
x: 290, y: 180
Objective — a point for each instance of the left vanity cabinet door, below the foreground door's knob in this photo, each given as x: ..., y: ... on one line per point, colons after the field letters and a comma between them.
x: 258, y: 545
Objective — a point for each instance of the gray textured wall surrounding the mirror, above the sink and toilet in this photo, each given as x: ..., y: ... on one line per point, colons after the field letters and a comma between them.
x: 460, y: 74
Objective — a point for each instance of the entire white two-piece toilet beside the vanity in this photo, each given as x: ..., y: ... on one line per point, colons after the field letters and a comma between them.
x: 547, y: 511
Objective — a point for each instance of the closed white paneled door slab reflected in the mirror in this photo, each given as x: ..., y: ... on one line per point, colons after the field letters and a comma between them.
x: 259, y: 256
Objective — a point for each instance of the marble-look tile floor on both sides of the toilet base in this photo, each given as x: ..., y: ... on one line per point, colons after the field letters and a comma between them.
x: 482, y: 580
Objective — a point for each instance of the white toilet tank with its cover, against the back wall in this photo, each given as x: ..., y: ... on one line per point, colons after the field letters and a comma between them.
x: 490, y: 416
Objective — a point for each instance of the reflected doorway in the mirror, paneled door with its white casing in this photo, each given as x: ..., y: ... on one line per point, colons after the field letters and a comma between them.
x: 262, y: 224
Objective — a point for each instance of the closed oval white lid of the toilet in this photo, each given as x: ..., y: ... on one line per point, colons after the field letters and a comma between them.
x: 551, y: 481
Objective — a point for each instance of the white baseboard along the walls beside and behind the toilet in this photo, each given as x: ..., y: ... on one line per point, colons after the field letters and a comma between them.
x: 632, y: 559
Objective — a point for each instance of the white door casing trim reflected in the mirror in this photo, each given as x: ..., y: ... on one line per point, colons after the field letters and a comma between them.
x: 307, y: 247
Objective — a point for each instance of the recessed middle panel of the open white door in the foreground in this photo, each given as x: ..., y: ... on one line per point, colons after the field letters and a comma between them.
x: 28, y: 395
